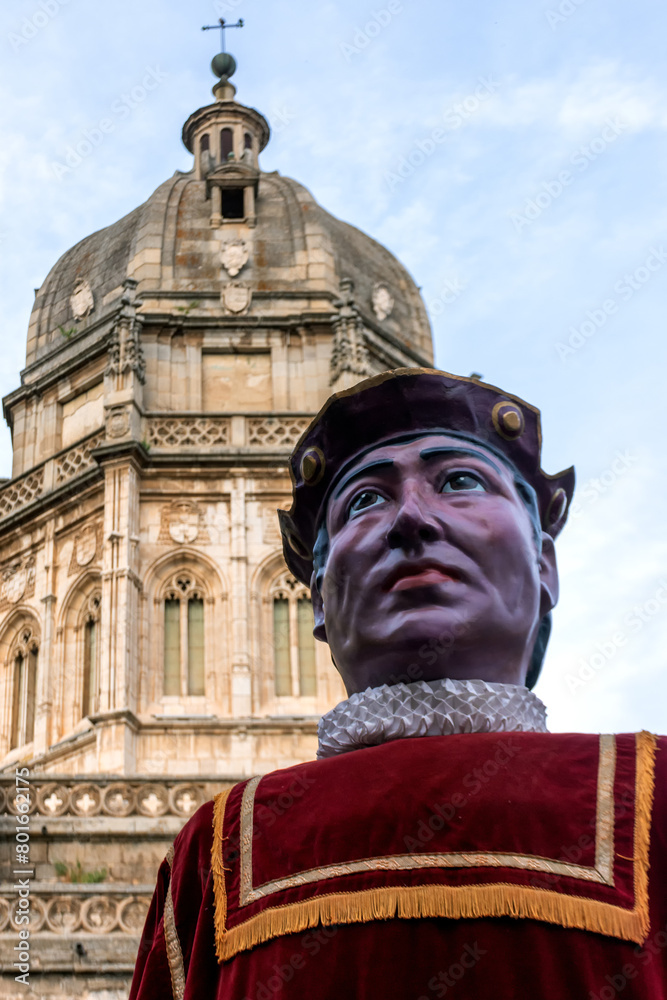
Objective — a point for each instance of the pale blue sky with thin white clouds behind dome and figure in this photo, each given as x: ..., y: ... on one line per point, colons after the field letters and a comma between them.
x: 512, y: 155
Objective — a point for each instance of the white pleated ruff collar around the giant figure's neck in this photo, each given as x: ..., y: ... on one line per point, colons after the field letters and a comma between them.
x: 428, y: 708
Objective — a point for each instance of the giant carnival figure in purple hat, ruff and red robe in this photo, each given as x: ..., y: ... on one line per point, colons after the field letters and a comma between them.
x: 444, y: 843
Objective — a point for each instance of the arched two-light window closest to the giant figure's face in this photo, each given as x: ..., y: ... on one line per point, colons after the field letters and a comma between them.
x: 293, y: 641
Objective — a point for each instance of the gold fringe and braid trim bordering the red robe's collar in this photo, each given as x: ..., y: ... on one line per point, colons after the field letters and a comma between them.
x: 486, y: 900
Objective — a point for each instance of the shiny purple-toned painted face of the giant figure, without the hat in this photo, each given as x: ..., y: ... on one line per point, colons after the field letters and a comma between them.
x: 433, y: 568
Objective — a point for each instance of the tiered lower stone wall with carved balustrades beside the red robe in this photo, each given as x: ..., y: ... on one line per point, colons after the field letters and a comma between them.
x: 95, y: 846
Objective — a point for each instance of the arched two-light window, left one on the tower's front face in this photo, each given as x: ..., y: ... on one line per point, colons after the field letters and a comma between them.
x: 184, y: 665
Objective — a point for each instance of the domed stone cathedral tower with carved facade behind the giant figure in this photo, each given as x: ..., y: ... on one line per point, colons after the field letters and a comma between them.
x: 153, y: 647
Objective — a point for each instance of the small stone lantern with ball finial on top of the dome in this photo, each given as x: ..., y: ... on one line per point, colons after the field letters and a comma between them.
x: 226, y: 139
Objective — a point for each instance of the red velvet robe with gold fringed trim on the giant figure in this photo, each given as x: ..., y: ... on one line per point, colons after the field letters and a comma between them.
x: 481, y: 865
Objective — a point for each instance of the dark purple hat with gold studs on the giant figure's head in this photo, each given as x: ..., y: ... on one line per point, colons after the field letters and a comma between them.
x: 403, y: 403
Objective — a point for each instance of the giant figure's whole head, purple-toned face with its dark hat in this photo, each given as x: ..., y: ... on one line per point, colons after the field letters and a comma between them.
x: 425, y: 527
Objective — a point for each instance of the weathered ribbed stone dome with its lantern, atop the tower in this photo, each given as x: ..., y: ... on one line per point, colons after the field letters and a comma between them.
x: 228, y: 240
